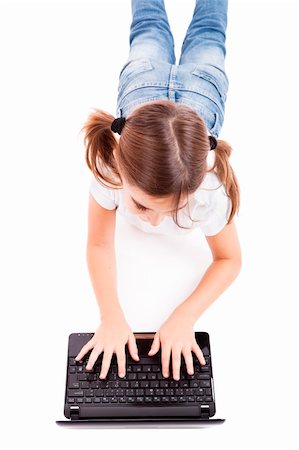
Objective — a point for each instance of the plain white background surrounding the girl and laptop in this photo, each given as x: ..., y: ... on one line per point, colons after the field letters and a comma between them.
x: 61, y: 59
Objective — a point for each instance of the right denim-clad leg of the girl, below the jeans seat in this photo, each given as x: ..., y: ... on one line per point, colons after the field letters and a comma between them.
x: 205, y: 38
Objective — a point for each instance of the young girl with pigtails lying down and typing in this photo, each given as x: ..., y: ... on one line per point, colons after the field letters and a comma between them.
x: 156, y: 174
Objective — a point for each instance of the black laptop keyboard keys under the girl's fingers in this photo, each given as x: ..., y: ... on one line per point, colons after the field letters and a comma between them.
x: 142, y: 384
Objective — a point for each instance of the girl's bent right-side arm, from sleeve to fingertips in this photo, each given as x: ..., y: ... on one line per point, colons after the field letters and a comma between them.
x: 176, y: 335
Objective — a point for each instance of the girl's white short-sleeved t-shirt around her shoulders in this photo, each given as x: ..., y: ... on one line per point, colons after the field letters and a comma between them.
x: 209, y: 204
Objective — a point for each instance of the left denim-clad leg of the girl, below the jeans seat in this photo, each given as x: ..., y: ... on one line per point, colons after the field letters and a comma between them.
x: 150, y: 34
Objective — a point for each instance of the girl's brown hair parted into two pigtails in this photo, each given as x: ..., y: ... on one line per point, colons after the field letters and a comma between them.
x: 162, y: 150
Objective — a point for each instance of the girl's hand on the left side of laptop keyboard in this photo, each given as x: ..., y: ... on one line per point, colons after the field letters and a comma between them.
x: 111, y: 337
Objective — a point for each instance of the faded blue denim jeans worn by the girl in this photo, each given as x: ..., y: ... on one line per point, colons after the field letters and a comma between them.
x: 150, y: 72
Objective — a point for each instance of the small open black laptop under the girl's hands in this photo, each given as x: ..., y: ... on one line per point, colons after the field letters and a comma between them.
x: 144, y: 397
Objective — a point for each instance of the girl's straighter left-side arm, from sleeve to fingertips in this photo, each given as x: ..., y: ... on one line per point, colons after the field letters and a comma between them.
x: 113, y: 333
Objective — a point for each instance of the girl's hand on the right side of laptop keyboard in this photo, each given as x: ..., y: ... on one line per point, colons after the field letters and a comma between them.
x: 176, y: 336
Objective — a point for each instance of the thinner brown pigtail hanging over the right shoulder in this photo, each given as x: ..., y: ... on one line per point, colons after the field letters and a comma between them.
x: 226, y: 175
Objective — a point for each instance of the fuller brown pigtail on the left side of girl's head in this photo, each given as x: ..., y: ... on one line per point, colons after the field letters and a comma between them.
x: 100, y: 141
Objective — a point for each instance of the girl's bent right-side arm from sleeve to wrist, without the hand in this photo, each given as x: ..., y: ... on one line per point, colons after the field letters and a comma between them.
x: 226, y: 265
